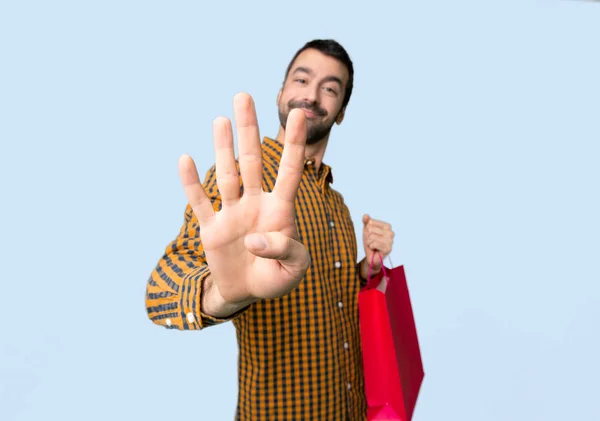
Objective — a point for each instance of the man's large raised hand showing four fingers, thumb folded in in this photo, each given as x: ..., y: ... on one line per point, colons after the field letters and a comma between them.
x: 251, y: 244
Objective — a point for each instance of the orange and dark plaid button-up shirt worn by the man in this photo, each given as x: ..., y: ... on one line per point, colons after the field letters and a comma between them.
x: 300, y: 355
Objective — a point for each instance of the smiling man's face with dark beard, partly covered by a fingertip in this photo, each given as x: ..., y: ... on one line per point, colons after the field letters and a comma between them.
x: 316, y: 83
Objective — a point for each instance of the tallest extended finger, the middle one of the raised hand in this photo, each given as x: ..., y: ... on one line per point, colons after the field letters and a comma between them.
x: 250, y: 152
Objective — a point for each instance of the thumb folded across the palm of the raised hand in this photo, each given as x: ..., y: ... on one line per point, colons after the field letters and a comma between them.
x: 277, y: 246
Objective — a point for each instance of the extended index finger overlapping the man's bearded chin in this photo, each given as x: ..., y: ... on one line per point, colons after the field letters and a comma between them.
x: 292, y: 159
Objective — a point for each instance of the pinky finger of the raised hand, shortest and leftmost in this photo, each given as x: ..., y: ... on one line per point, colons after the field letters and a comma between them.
x: 194, y: 191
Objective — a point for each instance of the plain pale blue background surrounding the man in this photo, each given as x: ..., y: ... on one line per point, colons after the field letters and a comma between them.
x: 473, y: 129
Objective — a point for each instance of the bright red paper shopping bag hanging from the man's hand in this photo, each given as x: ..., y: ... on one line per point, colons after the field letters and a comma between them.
x: 393, y: 370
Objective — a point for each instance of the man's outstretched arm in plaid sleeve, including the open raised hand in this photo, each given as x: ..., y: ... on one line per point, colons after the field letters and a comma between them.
x: 249, y: 238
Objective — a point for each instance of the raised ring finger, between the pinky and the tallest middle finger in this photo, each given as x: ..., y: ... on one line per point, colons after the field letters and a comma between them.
x: 228, y: 179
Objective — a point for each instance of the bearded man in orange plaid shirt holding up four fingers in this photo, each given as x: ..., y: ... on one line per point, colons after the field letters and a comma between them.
x: 269, y: 245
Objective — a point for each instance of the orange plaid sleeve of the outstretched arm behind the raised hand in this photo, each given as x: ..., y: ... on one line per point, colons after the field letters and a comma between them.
x: 174, y: 287
